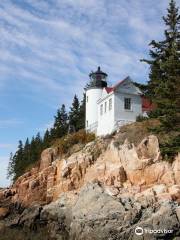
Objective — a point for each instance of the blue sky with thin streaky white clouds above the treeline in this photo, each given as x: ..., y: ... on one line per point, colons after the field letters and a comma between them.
x: 48, y: 48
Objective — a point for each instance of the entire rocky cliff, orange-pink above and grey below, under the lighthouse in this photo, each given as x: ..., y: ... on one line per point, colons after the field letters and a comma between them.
x: 105, y: 190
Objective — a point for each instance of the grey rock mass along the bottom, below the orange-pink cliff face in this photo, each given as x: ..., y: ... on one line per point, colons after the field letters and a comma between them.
x: 93, y: 214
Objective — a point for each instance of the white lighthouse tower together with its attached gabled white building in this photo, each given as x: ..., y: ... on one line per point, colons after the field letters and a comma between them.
x: 108, y: 108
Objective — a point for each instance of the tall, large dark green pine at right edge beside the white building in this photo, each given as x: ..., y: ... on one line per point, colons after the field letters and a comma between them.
x: 164, y: 83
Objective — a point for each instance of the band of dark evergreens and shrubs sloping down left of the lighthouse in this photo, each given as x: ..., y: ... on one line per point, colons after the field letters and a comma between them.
x: 28, y: 154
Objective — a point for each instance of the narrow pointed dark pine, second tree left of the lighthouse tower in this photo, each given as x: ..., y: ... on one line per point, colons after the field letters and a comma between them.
x: 74, y: 113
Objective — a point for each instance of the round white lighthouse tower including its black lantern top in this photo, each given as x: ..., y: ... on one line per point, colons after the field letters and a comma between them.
x: 93, y: 94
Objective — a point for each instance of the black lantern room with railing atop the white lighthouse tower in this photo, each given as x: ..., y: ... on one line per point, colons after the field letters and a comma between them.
x: 97, y: 79
